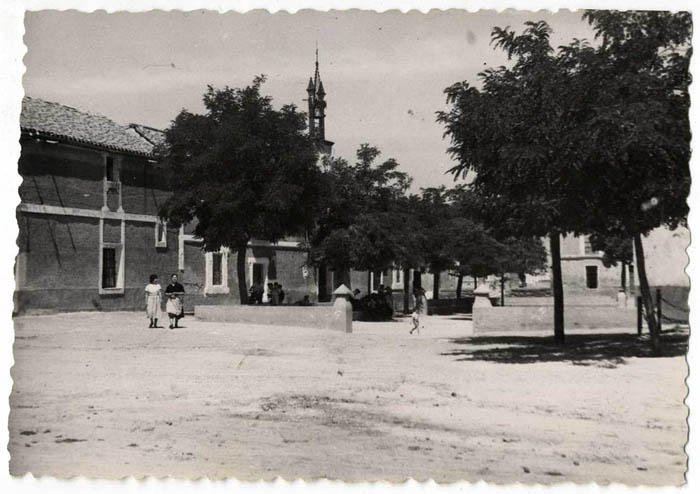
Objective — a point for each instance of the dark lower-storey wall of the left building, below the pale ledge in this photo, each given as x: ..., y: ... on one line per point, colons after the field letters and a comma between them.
x: 58, y: 263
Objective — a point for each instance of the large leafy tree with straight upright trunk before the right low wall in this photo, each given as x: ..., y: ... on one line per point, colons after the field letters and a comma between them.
x: 515, y: 133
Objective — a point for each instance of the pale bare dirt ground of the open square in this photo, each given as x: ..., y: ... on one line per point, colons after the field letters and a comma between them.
x: 101, y: 395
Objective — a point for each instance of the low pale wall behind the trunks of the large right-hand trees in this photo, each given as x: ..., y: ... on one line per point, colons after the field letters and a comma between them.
x: 541, y: 318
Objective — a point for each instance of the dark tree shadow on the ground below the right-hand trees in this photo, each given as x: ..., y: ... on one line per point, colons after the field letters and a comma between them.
x: 601, y: 350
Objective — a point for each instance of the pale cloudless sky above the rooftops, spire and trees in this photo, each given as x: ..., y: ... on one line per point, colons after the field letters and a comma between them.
x: 384, y: 73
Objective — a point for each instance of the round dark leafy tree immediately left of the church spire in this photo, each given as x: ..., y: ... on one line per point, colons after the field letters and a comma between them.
x: 242, y: 169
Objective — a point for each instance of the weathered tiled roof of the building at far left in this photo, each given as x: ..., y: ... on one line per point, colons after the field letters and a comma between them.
x: 53, y: 120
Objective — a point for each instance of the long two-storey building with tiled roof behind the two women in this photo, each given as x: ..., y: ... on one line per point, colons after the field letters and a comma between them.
x: 89, y: 232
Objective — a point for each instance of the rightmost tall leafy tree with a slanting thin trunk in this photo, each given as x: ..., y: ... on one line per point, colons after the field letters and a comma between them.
x: 634, y: 98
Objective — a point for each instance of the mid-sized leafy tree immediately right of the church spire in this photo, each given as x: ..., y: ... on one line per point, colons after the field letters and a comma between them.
x: 362, y: 224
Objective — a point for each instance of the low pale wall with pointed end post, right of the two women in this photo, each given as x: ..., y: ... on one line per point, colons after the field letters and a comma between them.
x: 336, y: 317
